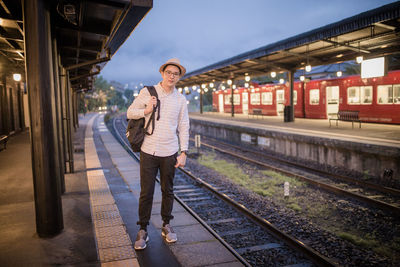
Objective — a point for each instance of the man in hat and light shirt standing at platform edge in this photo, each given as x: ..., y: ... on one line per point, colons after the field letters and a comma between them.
x: 159, y: 151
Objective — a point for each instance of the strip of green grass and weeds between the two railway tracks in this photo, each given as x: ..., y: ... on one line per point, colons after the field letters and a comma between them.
x: 270, y: 184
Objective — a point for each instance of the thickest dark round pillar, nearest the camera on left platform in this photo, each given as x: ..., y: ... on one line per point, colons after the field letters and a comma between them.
x: 44, y: 148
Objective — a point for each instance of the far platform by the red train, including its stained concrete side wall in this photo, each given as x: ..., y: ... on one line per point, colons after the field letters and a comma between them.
x: 370, y: 150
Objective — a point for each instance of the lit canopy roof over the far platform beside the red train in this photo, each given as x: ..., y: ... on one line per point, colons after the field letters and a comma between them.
x: 369, y: 34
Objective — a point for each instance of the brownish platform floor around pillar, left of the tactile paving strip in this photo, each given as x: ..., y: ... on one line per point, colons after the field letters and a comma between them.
x: 19, y: 243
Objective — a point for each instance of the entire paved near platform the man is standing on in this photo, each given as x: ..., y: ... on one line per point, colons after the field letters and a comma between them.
x: 100, y: 211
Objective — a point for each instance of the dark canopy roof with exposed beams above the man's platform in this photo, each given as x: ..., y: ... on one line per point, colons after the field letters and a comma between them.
x: 88, y: 33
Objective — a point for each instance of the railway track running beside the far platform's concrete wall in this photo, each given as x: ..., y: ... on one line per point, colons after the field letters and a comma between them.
x: 379, y: 196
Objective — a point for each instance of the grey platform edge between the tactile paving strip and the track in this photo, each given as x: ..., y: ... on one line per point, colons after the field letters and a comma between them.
x: 195, y: 245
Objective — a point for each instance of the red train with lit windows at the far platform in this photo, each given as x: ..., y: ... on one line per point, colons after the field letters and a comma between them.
x: 376, y: 99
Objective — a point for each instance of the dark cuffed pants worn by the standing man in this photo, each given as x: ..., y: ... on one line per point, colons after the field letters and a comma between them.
x: 149, y: 166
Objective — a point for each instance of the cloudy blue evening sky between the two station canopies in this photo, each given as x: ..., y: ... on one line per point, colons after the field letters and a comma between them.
x: 203, y: 32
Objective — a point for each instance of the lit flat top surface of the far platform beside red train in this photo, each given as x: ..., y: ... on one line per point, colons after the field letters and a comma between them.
x: 370, y: 133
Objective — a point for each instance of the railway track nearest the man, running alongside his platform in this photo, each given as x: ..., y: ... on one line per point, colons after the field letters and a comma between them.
x: 251, y: 238
